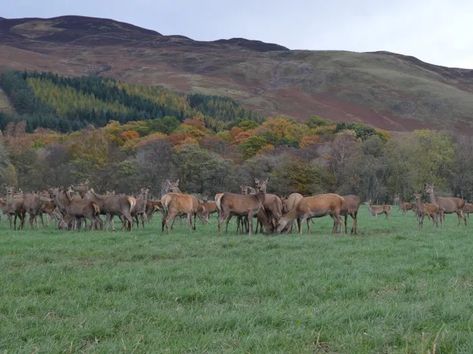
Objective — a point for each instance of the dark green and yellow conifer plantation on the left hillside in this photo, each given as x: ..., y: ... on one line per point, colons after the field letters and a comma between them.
x: 67, y: 104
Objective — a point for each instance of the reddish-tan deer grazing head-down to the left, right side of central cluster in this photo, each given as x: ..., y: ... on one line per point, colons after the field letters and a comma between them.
x: 314, y: 207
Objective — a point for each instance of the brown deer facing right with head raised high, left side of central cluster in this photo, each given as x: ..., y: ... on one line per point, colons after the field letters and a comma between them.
x: 230, y: 204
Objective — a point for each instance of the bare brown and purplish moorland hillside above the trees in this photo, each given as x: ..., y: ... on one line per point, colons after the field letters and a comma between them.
x: 382, y: 89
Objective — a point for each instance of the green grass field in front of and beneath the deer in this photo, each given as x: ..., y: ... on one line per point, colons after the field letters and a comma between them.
x: 391, y: 289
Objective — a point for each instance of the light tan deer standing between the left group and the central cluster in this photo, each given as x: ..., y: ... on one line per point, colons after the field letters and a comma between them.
x: 176, y: 204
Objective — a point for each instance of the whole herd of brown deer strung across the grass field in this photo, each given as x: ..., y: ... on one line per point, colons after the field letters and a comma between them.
x: 80, y: 206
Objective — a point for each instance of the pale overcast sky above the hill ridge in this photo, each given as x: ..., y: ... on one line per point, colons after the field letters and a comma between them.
x: 439, y: 32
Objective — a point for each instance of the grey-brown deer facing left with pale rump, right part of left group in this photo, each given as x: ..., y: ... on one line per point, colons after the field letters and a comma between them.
x: 120, y: 205
